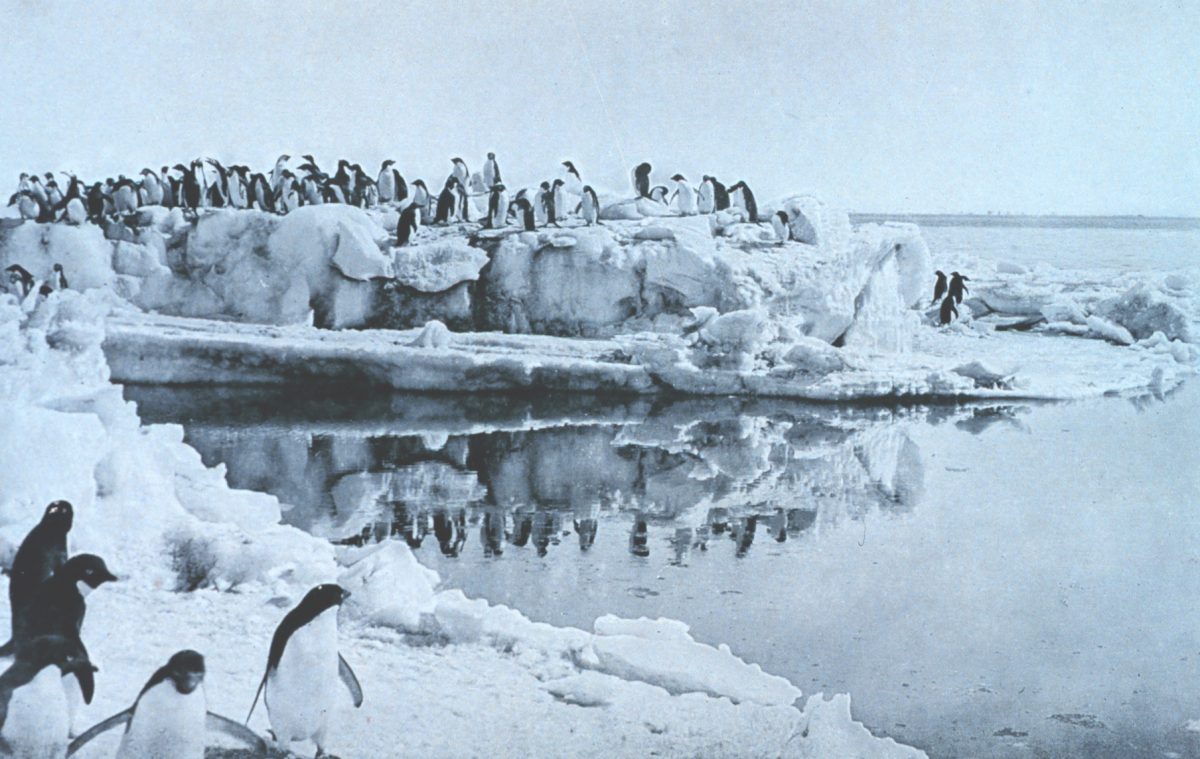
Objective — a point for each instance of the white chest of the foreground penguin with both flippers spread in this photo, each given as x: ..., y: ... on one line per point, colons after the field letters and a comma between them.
x: 166, y: 725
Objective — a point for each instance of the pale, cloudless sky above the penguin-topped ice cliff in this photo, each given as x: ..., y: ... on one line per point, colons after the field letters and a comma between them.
x: 877, y: 106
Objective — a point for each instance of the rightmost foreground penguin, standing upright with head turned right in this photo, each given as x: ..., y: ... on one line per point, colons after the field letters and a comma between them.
x: 303, y: 667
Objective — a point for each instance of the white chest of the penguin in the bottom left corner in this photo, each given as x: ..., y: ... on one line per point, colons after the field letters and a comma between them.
x: 38, y: 724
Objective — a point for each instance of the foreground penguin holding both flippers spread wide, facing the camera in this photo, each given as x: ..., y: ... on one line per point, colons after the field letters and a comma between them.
x: 170, y: 719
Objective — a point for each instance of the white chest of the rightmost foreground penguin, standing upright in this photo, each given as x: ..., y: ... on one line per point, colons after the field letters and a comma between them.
x: 302, y: 690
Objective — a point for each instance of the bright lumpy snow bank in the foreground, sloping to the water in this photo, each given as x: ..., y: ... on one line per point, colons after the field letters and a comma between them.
x: 466, y: 678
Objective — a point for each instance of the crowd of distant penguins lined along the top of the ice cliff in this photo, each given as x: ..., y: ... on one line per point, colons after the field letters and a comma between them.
x: 292, y: 184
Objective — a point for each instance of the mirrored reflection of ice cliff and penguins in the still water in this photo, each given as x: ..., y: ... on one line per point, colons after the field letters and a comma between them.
x: 715, y: 470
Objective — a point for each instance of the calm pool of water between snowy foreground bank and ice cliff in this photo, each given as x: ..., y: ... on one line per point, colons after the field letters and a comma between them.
x: 985, y: 581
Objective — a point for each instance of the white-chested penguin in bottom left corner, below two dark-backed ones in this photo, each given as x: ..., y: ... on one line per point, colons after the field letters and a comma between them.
x: 35, y: 720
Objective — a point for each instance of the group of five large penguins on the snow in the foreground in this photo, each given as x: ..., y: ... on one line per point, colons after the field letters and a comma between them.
x: 52, y: 672
